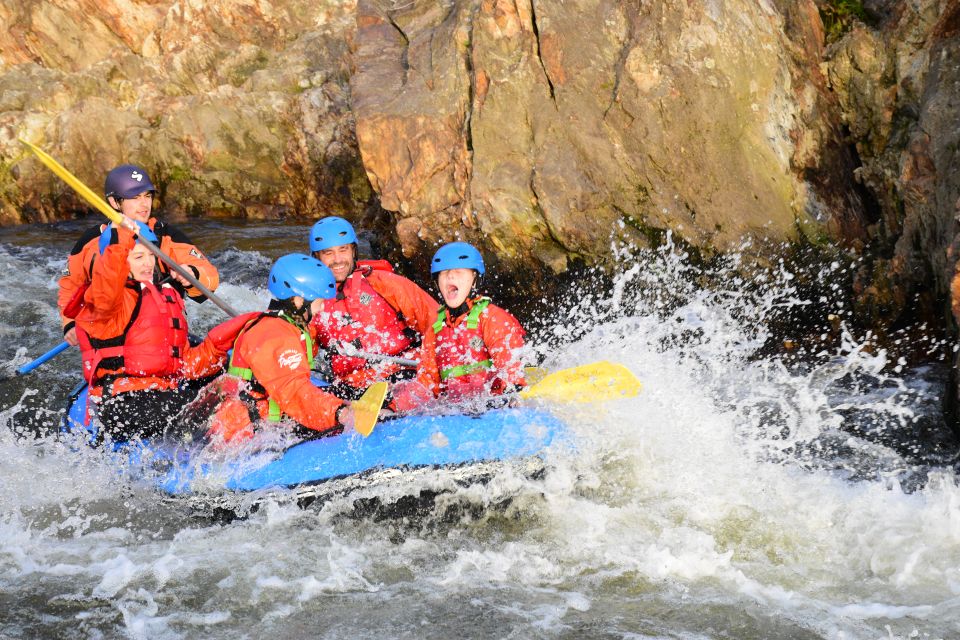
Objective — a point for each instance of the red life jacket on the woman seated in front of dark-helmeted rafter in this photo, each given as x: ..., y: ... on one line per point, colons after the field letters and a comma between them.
x: 151, y: 345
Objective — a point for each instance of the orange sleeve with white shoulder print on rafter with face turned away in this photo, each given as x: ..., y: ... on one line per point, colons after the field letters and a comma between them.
x: 273, y: 350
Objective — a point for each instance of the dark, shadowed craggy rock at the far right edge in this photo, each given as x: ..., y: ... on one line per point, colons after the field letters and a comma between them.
x: 897, y: 83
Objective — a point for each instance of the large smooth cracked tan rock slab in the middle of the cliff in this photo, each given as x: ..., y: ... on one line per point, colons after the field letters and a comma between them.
x: 545, y: 129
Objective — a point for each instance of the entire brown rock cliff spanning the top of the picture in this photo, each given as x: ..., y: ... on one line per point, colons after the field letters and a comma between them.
x: 543, y: 131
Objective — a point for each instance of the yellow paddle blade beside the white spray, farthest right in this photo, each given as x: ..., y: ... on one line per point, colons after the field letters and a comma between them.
x: 586, y: 383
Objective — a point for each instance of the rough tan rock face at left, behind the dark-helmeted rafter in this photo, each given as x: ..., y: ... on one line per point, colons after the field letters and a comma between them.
x: 237, y: 108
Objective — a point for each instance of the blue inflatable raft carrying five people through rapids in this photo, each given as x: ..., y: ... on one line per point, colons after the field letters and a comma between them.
x: 409, y: 442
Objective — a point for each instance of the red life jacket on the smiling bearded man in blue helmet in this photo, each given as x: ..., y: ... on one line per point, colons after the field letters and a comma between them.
x: 363, y: 318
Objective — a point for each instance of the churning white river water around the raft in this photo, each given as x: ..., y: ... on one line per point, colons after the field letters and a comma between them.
x: 742, y: 494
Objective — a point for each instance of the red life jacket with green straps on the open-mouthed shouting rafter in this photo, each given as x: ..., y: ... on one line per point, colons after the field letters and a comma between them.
x: 462, y: 357
